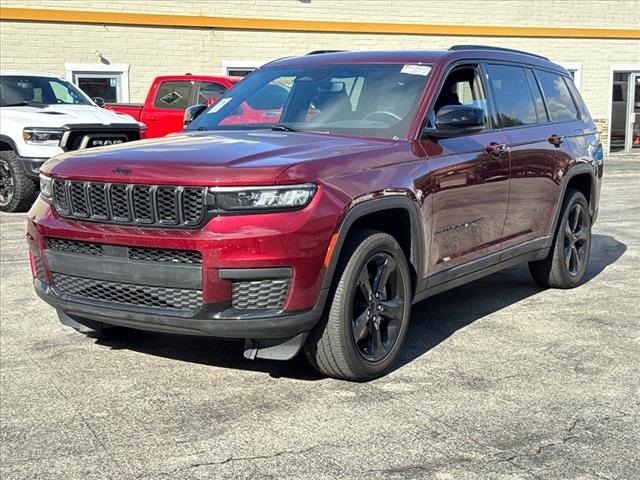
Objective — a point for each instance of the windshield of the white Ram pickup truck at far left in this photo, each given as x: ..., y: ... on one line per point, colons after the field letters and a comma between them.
x: 25, y: 90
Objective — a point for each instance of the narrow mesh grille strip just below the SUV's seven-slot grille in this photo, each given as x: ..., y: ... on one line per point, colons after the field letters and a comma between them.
x: 164, y: 255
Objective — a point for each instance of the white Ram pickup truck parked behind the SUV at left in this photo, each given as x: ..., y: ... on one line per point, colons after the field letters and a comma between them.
x: 41, y: 116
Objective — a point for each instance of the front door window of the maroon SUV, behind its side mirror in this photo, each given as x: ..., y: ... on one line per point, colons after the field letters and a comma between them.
x: 462, y: 86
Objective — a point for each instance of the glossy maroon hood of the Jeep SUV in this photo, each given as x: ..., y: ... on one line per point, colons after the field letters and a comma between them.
x: 253, y: 157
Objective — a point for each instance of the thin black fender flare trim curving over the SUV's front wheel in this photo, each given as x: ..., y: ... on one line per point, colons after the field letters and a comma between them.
x: 378, y: 205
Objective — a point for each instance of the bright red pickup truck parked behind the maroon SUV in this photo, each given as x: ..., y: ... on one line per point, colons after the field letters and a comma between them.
x: 169, y: 96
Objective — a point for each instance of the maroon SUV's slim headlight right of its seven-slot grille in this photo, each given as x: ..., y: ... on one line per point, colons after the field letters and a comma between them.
x: 262, y: 198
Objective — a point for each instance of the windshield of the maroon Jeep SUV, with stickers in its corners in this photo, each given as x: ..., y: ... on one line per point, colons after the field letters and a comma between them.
x: 376, y: 100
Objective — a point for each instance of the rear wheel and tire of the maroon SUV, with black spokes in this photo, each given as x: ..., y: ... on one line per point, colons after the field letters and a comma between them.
x: 568, y: 258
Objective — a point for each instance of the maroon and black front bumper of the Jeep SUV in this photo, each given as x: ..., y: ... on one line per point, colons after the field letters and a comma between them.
x: 232, y: 251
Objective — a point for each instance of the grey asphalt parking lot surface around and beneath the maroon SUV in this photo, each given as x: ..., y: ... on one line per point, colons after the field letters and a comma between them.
x: 498, y: 379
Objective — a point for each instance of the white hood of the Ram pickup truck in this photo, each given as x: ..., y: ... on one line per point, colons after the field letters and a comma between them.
x: 60, y: 115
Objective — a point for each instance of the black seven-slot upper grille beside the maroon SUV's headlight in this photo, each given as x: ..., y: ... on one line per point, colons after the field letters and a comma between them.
x: 130, y: 204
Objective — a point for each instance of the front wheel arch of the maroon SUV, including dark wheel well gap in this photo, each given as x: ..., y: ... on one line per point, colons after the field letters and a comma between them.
x: 376, y: 214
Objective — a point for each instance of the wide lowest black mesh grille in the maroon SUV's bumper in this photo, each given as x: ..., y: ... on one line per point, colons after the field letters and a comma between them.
x: 128, y: 293
